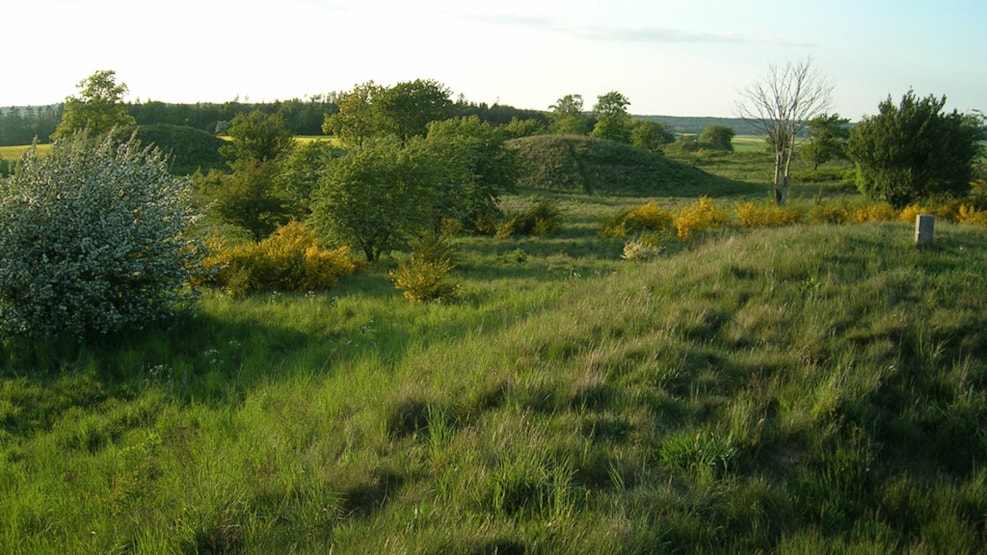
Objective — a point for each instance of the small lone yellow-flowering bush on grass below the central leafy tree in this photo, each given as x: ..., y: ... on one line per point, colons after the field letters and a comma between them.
x: 424, y: 276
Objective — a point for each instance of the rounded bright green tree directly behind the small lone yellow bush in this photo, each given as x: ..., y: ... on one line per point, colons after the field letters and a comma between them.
x: 377, y: 197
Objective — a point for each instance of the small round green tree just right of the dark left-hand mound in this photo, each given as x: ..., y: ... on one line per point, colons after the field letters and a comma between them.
x: 257, y: 137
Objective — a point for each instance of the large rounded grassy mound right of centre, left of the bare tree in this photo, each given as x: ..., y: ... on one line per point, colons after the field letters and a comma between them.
x: 581, y: 164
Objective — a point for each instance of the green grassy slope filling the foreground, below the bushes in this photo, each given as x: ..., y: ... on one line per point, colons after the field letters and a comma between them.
x: 761, y: 391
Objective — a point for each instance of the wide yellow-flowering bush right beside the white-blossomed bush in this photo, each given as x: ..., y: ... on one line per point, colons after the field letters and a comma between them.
x: 291, y: 259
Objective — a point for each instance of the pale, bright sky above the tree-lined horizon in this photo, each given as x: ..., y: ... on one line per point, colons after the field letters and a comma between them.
x: 667, y: 57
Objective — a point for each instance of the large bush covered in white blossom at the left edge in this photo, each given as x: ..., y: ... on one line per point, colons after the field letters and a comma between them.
x: 93, y: 238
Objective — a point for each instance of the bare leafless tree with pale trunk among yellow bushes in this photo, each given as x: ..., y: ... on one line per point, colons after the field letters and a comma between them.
x: 779, y: 105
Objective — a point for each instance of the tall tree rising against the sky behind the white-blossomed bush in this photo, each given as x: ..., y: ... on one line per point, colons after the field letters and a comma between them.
x: 98, y: 108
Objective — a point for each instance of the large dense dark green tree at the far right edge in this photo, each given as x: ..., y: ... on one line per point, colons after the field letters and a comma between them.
x: 915, y: 151
